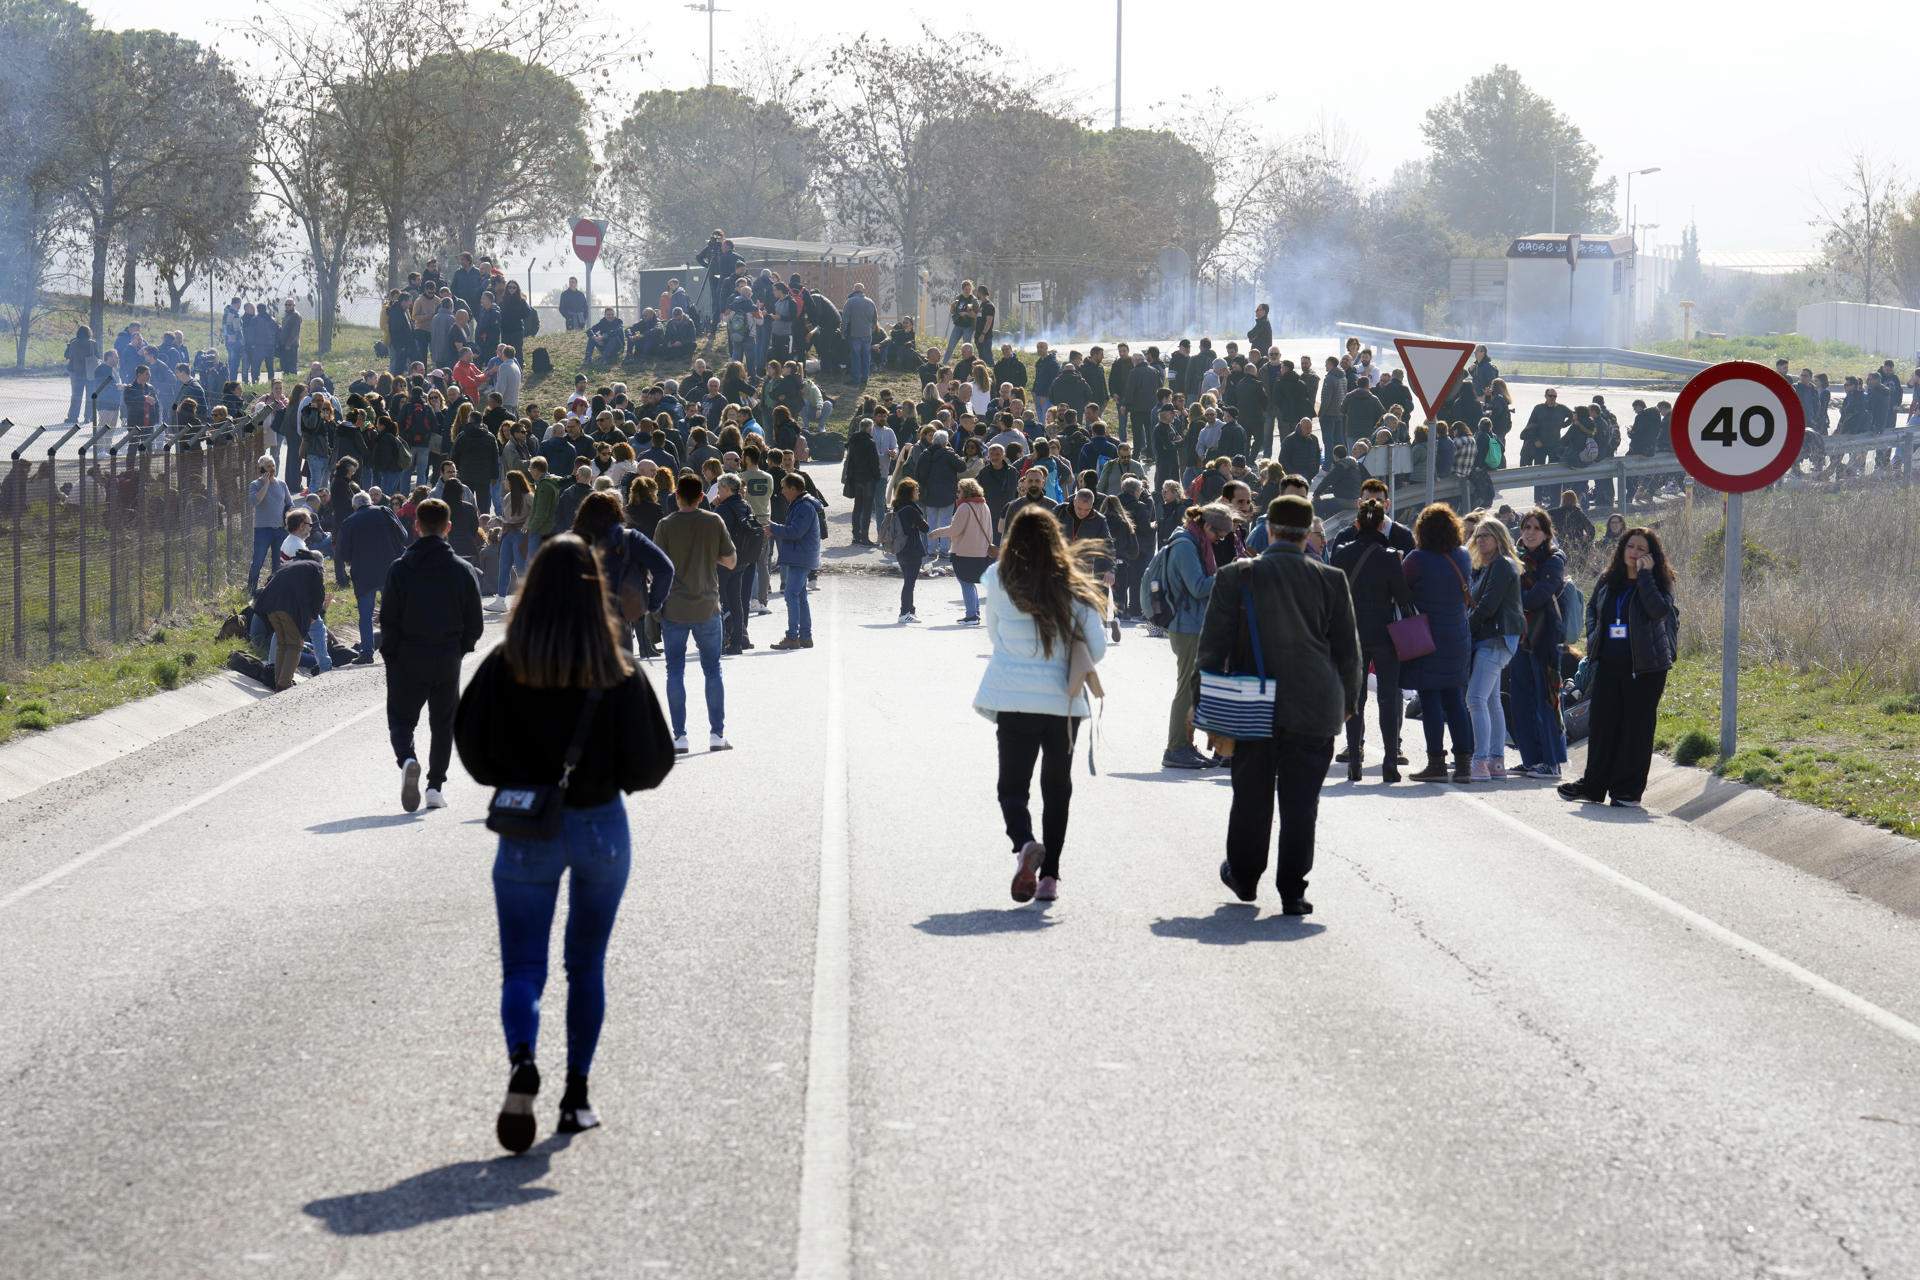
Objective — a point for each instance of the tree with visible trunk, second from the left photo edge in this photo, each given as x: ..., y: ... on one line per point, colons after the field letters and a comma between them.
x: 120, y: 174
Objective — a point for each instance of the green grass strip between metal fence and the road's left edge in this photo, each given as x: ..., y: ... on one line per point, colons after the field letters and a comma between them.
x: 178, y: 652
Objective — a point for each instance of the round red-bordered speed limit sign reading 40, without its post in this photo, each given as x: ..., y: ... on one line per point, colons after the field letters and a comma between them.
x: 1739, y: 427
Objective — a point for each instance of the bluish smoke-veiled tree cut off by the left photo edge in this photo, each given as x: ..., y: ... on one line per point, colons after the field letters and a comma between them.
x: 37, y: 39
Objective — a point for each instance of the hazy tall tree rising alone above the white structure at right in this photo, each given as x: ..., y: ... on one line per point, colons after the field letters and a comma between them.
x: 1504, y: 162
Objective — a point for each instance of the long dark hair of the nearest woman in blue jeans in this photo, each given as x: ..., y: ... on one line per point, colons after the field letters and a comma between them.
x: 562, y: 634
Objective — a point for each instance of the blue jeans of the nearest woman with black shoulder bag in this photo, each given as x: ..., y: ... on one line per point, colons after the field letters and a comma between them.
x: 527, y: 884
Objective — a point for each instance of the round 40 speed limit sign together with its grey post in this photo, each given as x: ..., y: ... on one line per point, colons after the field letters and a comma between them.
x: 1737, y: 427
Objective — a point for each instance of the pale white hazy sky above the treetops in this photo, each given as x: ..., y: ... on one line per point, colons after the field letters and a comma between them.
x: 1748, y: 120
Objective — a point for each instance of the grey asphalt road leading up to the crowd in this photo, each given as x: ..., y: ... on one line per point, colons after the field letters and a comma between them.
x: 251, y: 1018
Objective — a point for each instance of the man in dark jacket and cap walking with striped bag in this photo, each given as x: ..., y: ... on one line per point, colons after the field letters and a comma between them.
x: 1291, y: 619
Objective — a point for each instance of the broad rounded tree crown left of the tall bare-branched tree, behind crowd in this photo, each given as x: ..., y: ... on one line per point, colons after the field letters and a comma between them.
x: 684, y: 162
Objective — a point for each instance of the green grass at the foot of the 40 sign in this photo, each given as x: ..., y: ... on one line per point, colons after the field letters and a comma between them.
x: 1835, y: 744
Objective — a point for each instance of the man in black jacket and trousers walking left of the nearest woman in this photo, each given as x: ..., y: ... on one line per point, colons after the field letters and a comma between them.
x: 429, y: 619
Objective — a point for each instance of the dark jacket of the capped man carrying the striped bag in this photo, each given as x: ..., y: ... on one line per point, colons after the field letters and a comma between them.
x: 1307, y: 636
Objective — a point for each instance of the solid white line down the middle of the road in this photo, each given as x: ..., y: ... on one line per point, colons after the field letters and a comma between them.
x: 827, y: 1160
